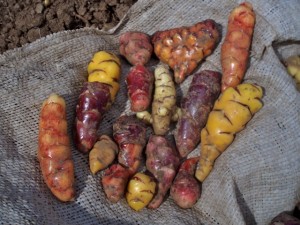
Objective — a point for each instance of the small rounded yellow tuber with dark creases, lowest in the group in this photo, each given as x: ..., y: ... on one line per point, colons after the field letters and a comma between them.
x: 140, y: 191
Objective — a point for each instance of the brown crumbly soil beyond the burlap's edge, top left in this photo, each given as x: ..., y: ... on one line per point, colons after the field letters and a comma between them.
x: 25, y: 21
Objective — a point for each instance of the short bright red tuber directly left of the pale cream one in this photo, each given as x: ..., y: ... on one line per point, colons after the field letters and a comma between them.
x: 139, y: 84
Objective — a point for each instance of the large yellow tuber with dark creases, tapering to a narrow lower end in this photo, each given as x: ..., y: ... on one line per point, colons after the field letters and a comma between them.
x: 231, y: 112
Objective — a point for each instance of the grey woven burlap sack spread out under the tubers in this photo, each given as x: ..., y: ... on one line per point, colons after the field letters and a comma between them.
x: 256, y: 178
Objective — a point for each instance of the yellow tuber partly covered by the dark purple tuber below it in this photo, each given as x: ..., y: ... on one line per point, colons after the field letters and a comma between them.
x: 105, y: 67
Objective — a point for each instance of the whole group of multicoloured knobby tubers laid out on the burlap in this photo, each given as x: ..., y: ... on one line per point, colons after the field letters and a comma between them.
x: 215, y: 108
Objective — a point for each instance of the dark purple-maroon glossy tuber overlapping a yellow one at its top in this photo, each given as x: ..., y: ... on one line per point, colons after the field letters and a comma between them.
x: 94, y: 101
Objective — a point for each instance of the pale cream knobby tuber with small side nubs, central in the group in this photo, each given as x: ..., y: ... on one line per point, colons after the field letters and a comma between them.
x: 164, y: 107
